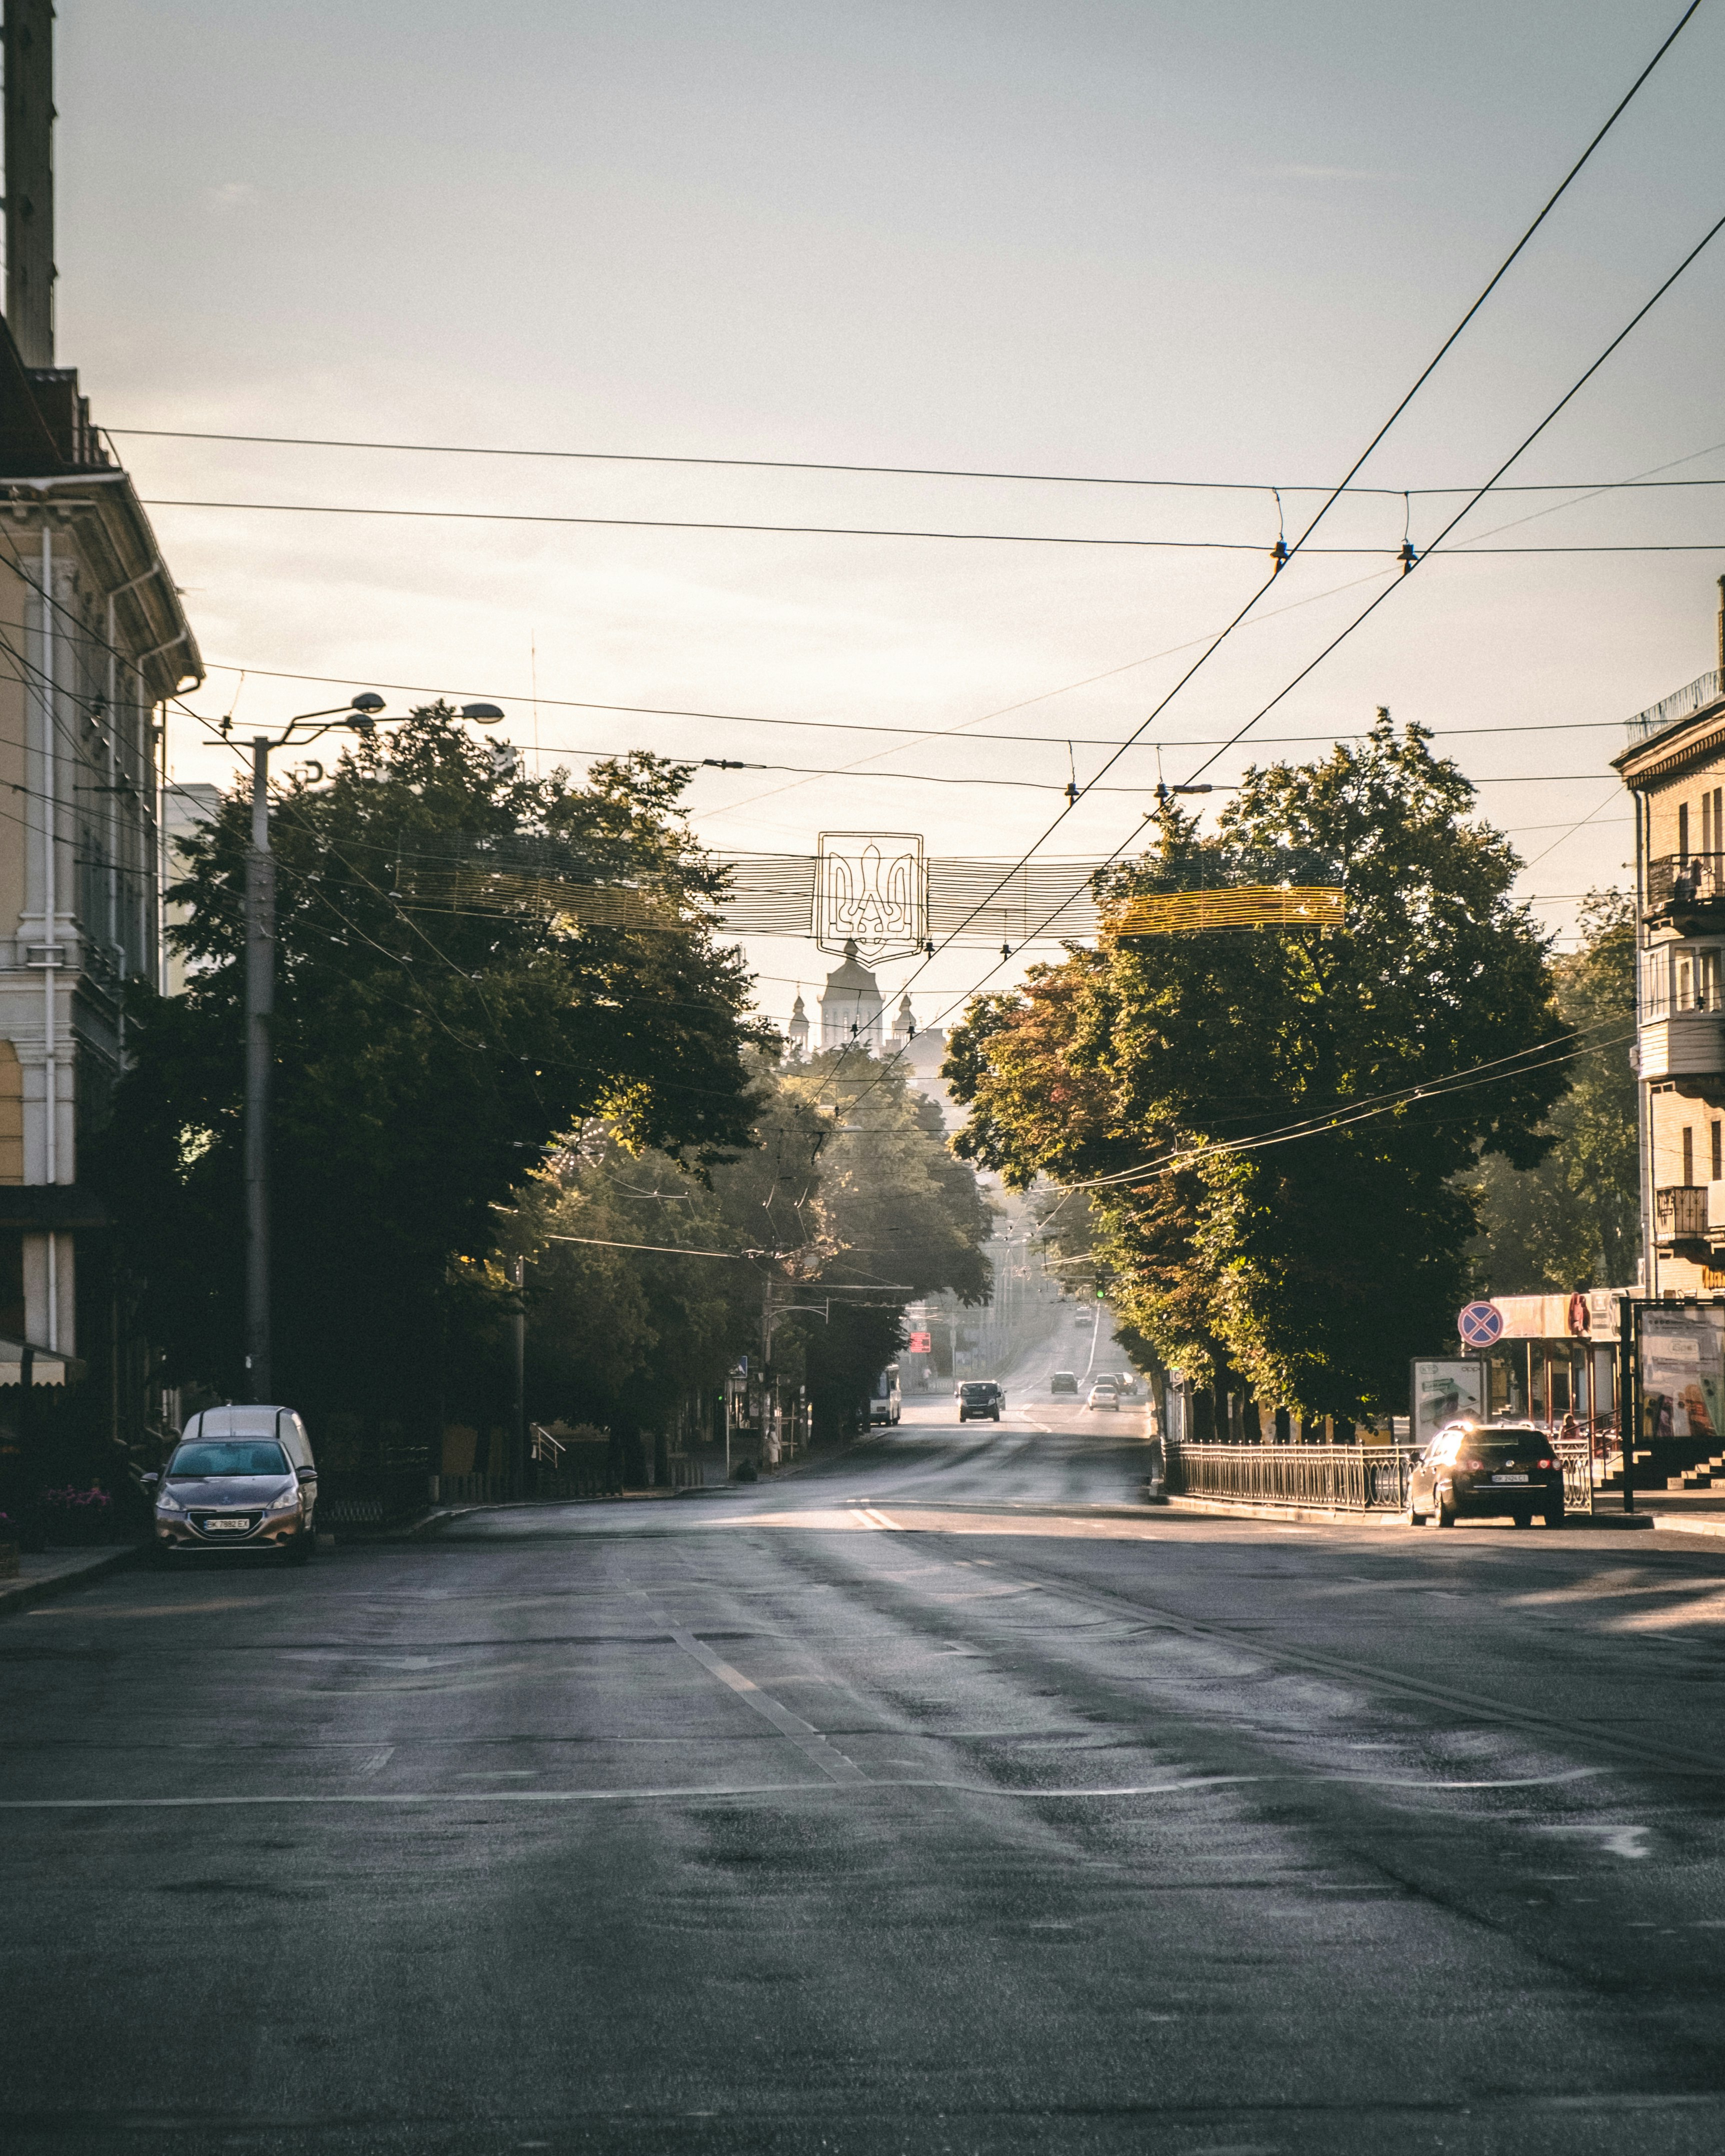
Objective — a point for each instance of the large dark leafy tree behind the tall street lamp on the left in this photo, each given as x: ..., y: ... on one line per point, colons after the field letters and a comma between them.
x: 441, y: 1019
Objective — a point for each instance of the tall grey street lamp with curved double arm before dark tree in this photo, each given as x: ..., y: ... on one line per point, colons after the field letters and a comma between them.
x: 361, y: 715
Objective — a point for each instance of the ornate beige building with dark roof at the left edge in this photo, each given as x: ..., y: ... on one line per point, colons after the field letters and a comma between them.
x: 92, y: 644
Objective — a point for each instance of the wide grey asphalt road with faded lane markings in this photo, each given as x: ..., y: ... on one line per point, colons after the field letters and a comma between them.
x: 941, y: 1799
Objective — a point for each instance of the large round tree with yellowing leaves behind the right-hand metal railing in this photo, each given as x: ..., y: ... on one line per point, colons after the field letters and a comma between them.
x: 1282, y: 1116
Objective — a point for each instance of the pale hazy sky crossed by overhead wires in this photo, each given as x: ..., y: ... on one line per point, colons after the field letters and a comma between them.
x: 1127, y: 240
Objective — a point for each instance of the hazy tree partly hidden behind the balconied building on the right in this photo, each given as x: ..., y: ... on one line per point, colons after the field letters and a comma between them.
x: 1575, y: 1219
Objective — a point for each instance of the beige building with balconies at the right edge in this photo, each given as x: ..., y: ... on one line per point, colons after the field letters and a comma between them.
x: 1676, y: 773
